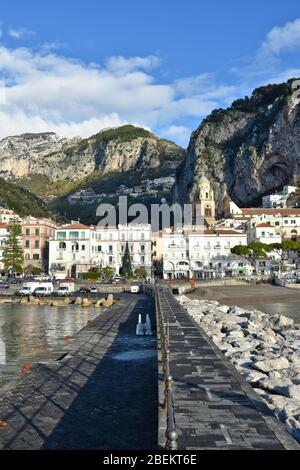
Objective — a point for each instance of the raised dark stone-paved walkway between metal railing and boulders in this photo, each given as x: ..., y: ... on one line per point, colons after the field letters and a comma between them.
x: 214, y: 406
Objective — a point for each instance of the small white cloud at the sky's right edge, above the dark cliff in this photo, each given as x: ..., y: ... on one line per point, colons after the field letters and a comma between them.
x: 282, y: 38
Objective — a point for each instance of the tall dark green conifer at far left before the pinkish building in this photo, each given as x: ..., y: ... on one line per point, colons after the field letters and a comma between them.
x: 13, y: 256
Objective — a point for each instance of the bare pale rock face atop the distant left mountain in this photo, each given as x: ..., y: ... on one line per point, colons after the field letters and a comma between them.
x: 120, y: 149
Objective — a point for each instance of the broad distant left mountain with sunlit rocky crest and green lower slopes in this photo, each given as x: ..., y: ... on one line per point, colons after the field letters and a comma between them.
x: 73, y: 176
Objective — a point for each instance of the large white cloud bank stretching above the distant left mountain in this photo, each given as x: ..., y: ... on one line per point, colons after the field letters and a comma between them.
x: 46, y: 91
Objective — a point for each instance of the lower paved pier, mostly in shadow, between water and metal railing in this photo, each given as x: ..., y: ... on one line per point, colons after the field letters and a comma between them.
x: 102, y: 395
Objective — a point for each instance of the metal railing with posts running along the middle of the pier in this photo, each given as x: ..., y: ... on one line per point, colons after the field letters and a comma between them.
x: 168, y: 405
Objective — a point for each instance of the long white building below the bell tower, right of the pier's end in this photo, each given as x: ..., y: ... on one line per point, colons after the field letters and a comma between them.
x: 201, y: 255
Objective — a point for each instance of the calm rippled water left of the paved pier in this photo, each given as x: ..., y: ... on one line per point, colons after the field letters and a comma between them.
x: 29, y: 334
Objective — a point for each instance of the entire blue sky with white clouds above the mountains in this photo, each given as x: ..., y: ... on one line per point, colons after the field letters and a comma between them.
x: 75, y: 67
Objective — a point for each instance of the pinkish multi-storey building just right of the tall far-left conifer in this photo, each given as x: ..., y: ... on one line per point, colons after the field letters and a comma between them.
x: 36, y: 234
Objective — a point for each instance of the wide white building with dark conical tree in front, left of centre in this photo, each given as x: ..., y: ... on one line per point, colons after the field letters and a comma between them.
x: 76, y: 248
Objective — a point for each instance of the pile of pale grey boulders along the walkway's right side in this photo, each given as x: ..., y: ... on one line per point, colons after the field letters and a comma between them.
x: 265, y: 349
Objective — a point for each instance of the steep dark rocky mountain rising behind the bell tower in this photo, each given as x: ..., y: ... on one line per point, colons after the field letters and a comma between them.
x: 246, y: 151
